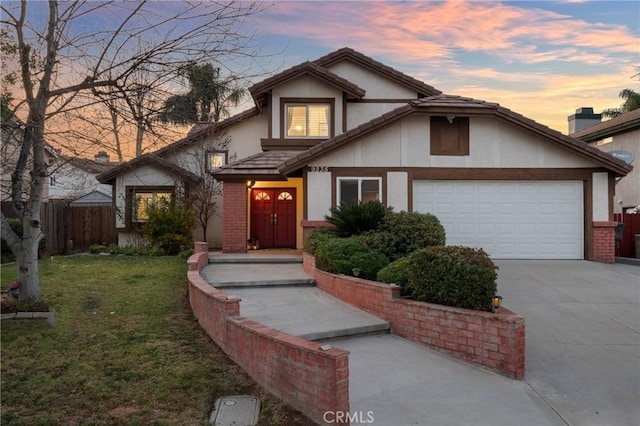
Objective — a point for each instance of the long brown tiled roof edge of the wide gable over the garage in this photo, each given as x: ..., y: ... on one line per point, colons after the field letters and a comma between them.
x: 443, y: 104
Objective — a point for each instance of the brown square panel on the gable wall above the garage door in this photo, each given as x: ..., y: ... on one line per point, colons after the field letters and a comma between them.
x: 449, y: 135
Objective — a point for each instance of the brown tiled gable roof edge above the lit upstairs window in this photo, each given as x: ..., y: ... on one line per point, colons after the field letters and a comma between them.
x: 307, y: 68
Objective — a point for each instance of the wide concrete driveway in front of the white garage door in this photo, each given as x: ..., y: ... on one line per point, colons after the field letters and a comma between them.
x: 583, y: 343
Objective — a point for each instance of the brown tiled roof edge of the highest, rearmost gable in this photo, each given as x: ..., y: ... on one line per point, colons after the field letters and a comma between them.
x: 347, y: 53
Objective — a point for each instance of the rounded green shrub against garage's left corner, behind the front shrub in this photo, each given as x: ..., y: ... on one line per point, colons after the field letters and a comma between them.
x: 402, y: 233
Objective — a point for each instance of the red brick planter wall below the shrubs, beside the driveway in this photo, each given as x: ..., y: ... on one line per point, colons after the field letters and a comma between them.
x: 496, y: 341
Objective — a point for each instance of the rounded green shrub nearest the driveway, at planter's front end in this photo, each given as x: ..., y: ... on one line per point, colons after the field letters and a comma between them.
x: 455, y: 276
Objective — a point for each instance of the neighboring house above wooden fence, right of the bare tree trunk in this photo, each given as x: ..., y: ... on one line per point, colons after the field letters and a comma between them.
x: 71, y: 178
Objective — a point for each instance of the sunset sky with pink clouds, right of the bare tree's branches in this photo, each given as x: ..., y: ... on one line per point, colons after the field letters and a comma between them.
x: 541, y: 59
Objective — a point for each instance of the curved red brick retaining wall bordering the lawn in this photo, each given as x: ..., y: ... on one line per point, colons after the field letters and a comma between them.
x: 292, y: 368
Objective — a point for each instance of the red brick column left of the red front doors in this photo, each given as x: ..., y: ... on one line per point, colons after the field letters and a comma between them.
x: 234, y: 217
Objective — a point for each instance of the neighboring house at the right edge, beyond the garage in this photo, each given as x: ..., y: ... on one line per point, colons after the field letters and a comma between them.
x: 620, y: 136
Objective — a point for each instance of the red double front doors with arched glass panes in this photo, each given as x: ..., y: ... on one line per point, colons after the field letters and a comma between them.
x: 273, y: 217
